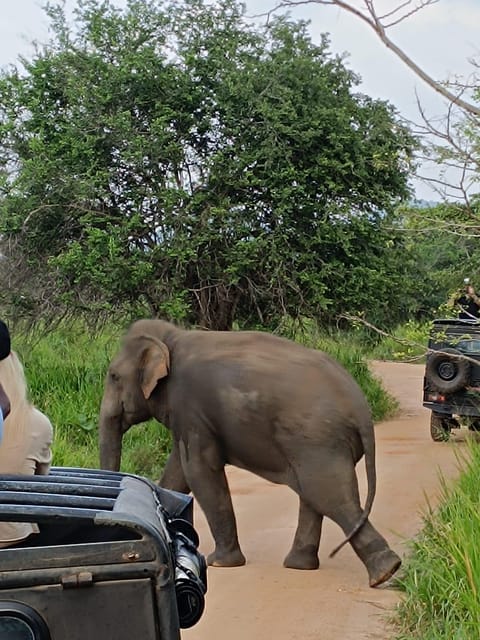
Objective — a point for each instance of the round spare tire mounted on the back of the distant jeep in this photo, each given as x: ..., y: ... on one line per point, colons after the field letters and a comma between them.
x: 447, y: 370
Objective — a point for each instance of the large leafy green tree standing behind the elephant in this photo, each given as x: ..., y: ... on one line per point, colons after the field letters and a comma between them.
x: 177, y: 158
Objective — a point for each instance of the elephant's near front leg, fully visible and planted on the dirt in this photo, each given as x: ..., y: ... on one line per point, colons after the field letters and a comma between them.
x: 205, y: 473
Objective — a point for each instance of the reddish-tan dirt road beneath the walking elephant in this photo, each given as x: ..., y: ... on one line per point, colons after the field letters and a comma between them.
x: 264, y: 601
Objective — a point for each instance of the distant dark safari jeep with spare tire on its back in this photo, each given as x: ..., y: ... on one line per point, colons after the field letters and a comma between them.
x: 451, y: 386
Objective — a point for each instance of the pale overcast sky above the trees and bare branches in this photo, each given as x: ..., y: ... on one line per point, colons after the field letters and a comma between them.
x: 441, y: 39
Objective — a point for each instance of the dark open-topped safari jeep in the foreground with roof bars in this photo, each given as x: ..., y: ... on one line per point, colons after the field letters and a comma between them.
x: 115, y: 559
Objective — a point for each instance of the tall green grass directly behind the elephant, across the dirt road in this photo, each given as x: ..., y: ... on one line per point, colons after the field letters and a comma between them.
x: 65, y: 370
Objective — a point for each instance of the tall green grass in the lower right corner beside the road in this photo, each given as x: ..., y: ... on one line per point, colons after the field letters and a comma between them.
x: 441, y: 581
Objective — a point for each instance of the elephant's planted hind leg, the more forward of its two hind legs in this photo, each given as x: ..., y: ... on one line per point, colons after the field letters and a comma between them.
x: 304, y: 551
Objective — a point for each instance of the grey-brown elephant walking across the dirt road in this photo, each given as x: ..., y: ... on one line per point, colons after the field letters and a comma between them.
x: 264, y: 403
